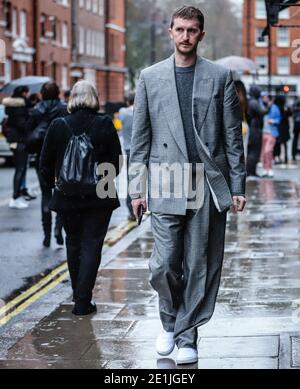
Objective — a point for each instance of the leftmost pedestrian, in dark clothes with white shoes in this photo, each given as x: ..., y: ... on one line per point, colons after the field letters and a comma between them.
x: 17, y: 111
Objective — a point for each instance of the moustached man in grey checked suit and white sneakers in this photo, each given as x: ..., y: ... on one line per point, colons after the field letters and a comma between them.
x: 187, y: 113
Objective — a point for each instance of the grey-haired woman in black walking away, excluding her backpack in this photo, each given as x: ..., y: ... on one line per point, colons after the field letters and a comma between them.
x: 85, y: 218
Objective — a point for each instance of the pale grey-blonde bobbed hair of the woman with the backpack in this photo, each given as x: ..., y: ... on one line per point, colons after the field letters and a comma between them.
x: 84, y: 95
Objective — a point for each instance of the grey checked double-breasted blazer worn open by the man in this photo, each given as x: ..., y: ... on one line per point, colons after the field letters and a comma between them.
x: 158, y: 134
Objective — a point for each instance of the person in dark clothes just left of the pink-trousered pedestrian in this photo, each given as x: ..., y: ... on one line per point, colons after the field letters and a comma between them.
x: 257, y: 111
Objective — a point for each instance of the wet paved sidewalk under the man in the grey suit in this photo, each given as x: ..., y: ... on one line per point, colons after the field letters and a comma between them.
x: 257, y: 320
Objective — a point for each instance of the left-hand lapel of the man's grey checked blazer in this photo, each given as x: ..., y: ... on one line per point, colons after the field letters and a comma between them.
x: 171, y: 106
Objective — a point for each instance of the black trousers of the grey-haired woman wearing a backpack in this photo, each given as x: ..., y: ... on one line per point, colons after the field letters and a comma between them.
x: 85, y: 234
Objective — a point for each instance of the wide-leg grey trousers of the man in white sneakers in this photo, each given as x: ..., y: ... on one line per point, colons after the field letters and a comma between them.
x: 186, y: 267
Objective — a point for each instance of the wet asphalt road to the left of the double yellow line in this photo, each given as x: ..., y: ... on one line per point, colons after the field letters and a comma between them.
x: 23, y: 259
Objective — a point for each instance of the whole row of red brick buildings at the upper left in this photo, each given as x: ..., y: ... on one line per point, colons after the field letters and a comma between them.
x: 66, y: 40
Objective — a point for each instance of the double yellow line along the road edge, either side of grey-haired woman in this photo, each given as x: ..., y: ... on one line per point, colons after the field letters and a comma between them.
x: 59, y: 274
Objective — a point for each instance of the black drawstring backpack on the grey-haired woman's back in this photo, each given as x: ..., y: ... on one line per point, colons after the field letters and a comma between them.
x: 78, y: 174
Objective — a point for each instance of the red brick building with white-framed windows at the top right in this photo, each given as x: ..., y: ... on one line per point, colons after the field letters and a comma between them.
x: 285, y: 68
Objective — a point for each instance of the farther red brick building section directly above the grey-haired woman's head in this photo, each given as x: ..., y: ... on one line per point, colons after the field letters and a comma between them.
x: 98, y: 52
